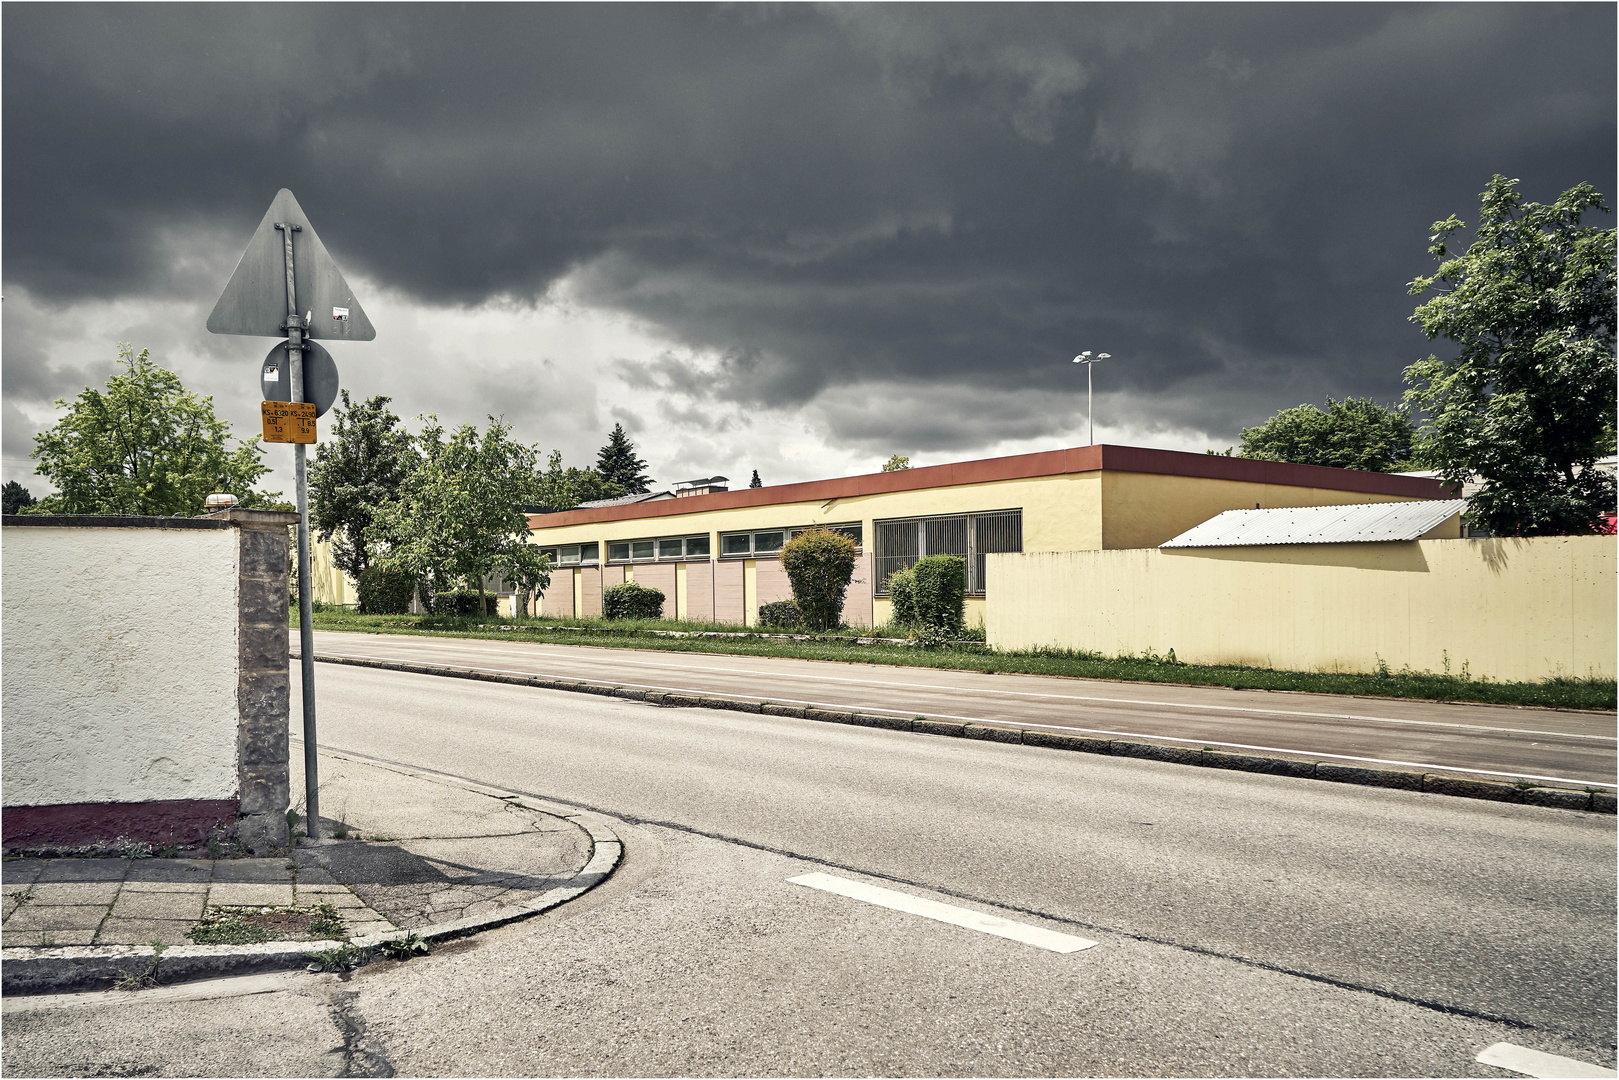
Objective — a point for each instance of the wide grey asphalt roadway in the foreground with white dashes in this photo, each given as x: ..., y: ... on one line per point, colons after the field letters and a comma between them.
x: 1246, y: 925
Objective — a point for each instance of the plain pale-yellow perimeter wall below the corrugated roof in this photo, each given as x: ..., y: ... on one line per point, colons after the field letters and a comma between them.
x: 1510, y: 610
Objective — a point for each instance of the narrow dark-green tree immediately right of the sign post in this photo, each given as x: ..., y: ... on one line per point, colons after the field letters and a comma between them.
x: 359, y: 470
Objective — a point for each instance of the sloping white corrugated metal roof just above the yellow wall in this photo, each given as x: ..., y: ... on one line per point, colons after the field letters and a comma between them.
x: 1356, y: 524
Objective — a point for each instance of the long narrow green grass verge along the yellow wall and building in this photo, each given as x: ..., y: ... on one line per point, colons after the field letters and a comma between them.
x: 1560, y: 694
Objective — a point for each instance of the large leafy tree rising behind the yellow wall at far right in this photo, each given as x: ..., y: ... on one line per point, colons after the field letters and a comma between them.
x: 1528, y: 404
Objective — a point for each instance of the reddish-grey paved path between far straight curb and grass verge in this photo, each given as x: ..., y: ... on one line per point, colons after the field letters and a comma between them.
x: 1547, y: 746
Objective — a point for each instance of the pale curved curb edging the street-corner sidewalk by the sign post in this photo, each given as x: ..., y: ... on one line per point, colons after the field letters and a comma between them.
x: 57, y: 971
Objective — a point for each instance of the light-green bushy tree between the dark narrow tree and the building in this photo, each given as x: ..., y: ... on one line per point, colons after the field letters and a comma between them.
x: 459, y: 517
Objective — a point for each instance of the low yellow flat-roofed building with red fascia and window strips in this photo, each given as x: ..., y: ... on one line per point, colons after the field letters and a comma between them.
x: 716, y: 556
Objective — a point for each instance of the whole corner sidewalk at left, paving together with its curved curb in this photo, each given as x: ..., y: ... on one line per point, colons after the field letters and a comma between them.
x: 407, y: 853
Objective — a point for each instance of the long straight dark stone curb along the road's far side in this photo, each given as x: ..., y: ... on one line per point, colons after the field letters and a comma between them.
x: 1291, y: 767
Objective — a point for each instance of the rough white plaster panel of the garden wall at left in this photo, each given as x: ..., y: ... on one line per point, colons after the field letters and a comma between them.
x: 121, y: 665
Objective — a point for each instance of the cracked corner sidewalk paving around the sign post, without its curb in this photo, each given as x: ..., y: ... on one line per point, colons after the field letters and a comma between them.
x: 414, y: 853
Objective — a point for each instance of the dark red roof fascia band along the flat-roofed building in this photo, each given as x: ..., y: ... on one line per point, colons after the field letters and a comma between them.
x: 1016, y: 467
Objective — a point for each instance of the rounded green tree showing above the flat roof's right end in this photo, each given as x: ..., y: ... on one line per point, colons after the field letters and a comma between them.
x: 1353, y: 433
